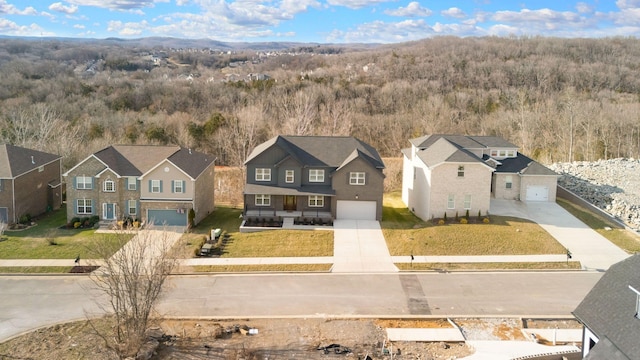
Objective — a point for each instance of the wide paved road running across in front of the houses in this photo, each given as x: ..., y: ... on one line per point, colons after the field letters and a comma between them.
x: 29, y: 302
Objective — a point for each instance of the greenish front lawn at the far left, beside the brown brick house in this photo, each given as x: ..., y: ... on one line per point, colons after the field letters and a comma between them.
x: 46, y: 240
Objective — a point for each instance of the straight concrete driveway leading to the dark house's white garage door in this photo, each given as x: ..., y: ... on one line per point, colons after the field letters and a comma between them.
x: 359, y: 246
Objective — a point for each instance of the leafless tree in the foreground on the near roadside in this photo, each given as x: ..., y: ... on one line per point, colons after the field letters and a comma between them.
x: 132, y: 279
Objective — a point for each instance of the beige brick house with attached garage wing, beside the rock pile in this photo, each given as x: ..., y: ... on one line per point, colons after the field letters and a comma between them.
x: 456, y: 173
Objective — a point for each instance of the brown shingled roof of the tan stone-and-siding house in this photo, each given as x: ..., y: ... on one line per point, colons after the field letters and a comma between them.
x: 135, y: 160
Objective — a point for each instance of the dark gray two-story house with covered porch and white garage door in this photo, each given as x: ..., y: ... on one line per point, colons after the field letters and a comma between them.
x: 340, y: 176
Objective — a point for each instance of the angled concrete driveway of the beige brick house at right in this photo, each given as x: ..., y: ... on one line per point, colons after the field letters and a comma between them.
x: 593, y: 250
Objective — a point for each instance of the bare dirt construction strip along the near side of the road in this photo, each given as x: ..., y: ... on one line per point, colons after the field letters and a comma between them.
x: 268, y: 339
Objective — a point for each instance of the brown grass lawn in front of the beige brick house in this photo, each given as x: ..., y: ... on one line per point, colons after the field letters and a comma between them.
x: 406, y: 234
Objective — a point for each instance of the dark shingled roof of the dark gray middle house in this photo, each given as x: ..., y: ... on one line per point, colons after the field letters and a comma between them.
x: 321, y: 151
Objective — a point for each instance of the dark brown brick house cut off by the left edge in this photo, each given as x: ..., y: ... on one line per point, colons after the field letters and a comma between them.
x: 30, y: 182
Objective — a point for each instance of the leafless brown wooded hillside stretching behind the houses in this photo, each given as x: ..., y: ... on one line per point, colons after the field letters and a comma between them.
x: 558, y: 99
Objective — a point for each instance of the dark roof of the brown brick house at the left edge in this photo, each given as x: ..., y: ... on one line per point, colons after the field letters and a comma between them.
x: 15, y: 160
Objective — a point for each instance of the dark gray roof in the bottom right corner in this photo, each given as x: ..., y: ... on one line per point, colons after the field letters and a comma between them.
x: 609, y: 310
